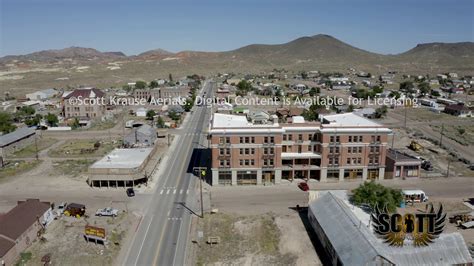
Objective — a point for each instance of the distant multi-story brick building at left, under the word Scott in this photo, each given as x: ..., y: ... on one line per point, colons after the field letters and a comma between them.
x: 84, y: 103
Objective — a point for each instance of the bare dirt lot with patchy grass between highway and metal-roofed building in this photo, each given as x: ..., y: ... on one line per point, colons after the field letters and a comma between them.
x: 267, y: 239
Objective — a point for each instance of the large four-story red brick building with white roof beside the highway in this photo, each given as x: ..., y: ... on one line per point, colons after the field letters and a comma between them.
x: 342, y: 146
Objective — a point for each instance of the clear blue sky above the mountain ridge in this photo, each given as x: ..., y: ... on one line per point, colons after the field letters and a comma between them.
x: 217, y: 25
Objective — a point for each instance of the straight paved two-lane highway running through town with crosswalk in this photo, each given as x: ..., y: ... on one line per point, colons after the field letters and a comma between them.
x: 162, y: 235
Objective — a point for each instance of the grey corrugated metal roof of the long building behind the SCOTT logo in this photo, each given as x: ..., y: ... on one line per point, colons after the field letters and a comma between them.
x: 356, y: 244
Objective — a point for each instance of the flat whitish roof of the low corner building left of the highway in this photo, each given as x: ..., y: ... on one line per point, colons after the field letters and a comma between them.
x: 123, y: 158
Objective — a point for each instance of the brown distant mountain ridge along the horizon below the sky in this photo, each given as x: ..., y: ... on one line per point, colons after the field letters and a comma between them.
x: 311, y: 51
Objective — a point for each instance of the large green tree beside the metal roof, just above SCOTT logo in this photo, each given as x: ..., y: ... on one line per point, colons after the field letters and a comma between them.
x: 377, y: 195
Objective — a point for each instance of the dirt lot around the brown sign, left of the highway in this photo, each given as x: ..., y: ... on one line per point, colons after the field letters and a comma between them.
x: 65, y: 243
